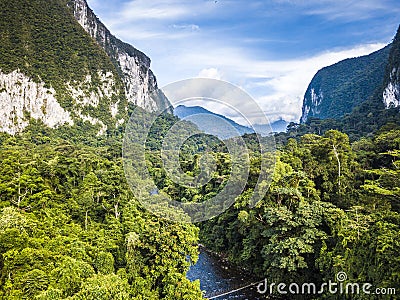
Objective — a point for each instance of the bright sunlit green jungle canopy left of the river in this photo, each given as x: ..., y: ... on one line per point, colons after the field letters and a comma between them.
x: 71, y: 229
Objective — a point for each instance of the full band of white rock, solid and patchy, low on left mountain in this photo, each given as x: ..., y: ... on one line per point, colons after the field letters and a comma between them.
x: 21, y: 98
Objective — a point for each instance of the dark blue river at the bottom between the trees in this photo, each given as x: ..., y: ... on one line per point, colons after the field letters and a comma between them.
x: 217, y: 278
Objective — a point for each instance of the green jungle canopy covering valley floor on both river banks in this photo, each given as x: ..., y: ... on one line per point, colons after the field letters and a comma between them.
x: 71, y: 228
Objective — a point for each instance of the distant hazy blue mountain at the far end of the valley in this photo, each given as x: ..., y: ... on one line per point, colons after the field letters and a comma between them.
x: 220, y: 125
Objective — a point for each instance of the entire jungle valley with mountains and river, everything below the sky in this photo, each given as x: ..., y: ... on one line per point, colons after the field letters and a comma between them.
x: 81, y: 111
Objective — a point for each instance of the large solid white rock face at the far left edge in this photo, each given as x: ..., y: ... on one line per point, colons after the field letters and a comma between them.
x: 21, y: 98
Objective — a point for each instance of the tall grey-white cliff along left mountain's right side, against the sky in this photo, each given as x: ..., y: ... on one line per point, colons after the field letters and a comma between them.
x: 132, y: 65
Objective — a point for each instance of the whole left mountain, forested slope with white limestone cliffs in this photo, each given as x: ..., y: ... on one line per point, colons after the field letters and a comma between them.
x: 52, y: 70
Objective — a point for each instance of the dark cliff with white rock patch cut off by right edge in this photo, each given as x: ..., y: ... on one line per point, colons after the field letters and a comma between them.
x: 391, y: 84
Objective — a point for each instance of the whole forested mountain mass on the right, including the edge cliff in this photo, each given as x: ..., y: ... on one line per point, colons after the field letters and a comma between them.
x: 380, y: 108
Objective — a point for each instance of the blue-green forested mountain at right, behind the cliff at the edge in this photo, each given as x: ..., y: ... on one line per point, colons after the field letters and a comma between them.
x: 337, y: 89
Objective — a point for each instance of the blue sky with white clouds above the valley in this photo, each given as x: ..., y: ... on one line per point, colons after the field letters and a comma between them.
x: 271, y: 49
